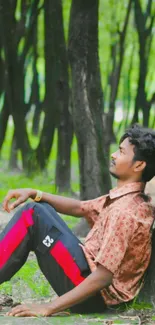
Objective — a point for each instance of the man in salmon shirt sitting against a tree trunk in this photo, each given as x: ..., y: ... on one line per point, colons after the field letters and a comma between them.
x: 108, y: 268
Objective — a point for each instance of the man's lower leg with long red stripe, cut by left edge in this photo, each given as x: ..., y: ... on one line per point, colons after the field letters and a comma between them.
x: 15, y: 242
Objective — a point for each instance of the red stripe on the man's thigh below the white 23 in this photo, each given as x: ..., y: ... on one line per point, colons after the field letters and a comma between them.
x: 67, y: 263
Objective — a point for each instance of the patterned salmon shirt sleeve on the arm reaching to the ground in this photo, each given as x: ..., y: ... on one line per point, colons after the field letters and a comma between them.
x: 117, y: 235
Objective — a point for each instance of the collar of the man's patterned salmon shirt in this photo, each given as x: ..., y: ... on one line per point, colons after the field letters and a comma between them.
x: 125, y: 189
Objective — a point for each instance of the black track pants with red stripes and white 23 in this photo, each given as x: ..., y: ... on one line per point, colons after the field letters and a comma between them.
x: 37, y: 227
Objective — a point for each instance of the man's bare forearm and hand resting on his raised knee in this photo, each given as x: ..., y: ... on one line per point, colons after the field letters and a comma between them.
x: 61, y: 204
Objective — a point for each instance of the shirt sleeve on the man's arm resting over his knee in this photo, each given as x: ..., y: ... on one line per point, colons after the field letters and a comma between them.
x: 92, y: 208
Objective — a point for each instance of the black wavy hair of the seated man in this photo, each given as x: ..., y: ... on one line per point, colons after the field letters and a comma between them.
x: 143, y: 140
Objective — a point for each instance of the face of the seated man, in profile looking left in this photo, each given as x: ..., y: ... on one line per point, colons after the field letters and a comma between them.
x: 122, y: 165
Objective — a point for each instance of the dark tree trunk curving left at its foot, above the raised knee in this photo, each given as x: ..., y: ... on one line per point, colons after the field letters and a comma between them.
x: 51, y: 78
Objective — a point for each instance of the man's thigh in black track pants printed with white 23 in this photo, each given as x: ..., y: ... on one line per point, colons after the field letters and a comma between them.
x: 59, y: 255
